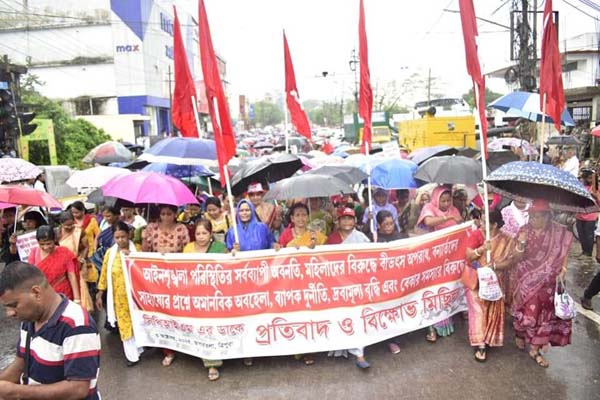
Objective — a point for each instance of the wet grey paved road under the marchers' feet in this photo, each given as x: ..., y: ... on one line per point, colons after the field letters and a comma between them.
x: 445, y: 370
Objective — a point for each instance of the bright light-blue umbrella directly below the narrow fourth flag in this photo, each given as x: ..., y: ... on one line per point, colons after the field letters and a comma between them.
x: 394, y: 173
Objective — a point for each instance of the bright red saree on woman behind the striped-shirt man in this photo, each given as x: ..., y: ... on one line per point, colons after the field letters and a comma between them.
x: 56, y: 266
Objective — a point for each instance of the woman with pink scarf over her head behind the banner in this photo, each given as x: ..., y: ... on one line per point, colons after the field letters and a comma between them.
x: 439, y: 213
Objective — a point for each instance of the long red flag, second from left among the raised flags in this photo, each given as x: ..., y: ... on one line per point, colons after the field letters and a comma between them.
x: 215, y: 95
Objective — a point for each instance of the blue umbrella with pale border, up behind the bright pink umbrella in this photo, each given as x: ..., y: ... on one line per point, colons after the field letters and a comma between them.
x: 182, y: 151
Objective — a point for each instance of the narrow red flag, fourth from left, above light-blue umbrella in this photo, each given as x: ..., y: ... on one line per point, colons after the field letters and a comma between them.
x: 365, y: 101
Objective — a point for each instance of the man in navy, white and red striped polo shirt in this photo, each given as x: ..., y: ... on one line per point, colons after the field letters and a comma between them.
x: 58, y: 354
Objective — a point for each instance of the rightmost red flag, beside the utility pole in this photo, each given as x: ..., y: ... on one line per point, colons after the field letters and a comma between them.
x: 551, y: 70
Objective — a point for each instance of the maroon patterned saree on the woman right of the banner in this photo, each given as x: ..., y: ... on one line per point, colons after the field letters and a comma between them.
x: 533, y: 282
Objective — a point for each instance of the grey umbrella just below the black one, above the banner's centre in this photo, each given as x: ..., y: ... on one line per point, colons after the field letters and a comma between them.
x: 307, y: 186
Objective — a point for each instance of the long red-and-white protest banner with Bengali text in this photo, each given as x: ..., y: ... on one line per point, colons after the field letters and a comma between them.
x: 264, y: 303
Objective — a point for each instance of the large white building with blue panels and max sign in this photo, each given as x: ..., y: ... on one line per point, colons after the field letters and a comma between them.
x: 108, y: 61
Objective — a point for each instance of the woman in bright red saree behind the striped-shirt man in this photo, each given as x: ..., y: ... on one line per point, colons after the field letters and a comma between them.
x: 58, y: 263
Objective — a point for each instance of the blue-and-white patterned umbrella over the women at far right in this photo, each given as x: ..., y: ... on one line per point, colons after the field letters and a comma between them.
x: 534, y: 180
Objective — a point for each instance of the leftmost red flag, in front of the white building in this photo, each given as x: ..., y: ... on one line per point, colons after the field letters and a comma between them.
x: 183, y: 111
